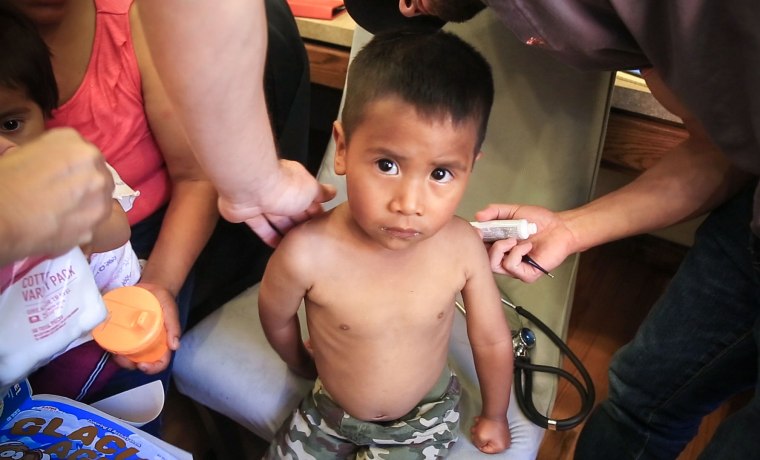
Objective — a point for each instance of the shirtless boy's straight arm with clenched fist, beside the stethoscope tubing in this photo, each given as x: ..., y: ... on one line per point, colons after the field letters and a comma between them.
x: 491, y: 342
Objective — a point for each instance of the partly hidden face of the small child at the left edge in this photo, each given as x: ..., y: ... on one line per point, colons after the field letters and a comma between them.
x: 21, y: 119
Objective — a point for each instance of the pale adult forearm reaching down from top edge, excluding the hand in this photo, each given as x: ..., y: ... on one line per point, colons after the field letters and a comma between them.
x: 211, y: 56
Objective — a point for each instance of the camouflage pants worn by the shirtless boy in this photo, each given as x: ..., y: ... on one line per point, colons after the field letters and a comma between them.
x: 319, y: 429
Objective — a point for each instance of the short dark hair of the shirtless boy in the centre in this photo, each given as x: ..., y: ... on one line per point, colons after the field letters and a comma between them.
x: 436, y: 72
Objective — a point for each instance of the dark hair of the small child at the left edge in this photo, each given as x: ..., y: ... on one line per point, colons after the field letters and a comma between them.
x: 25, y: 60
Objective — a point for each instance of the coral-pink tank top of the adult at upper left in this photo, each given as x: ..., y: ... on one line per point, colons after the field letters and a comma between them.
x: 107, y: 109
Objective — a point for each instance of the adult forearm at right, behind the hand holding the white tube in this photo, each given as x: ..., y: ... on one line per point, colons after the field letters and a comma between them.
x: 689, y: 180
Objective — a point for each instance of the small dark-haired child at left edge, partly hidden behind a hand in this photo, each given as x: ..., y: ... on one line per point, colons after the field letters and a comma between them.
x: 28, y: 94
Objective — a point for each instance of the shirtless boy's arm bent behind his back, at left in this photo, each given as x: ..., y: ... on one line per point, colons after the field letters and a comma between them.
x: 280, y: 297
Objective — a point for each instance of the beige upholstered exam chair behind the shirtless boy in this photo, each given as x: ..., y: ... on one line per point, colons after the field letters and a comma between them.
x: 543, y: 147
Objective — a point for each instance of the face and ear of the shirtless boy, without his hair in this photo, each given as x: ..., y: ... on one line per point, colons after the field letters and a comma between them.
x: 405, y: 174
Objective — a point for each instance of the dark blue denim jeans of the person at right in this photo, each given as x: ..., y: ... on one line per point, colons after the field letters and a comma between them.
x: 697, y: 347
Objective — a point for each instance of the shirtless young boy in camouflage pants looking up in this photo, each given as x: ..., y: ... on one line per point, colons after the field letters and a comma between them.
x: 379, y: 274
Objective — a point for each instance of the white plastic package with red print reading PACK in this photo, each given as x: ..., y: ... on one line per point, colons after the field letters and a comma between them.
x: 45, y: 305
